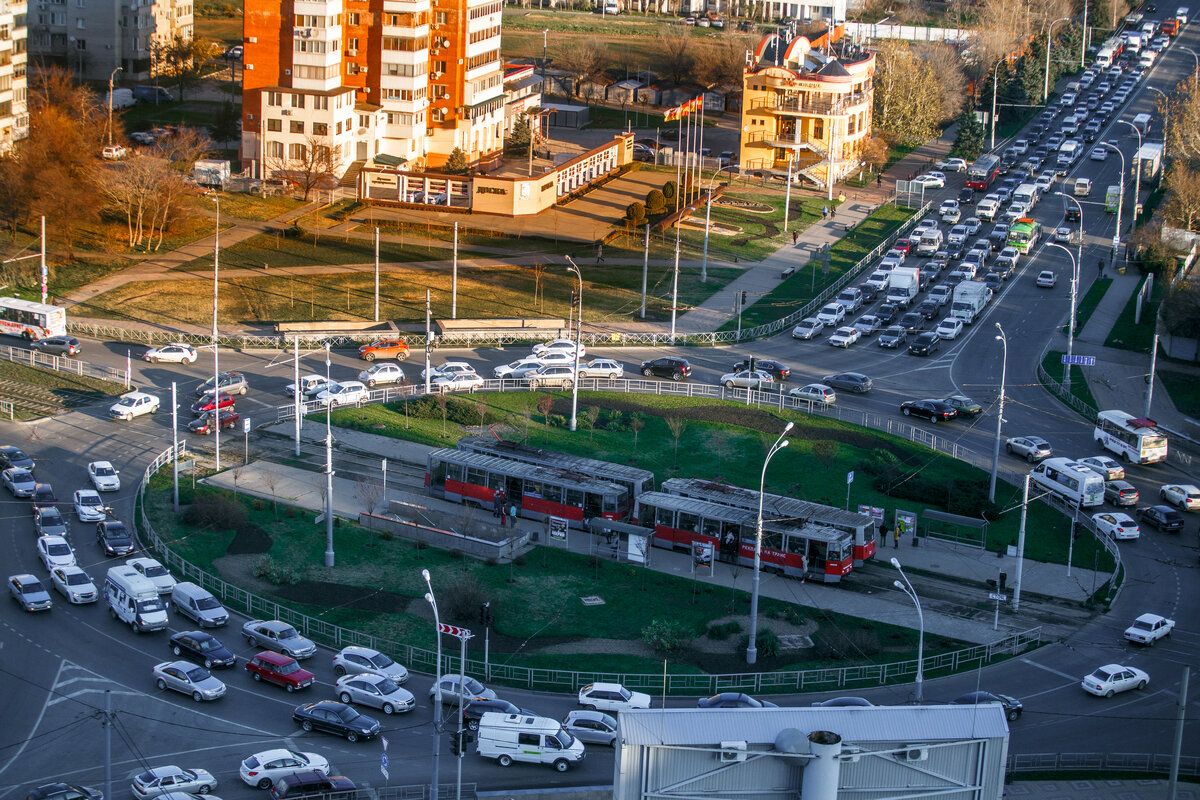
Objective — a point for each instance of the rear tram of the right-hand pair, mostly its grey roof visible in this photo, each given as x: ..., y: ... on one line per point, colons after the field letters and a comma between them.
x: 776, y: 507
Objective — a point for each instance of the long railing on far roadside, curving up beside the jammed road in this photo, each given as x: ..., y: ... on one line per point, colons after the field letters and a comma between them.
x: 484, y: 339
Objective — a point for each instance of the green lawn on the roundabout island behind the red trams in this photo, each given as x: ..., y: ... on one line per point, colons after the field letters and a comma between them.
x: 734, y: 441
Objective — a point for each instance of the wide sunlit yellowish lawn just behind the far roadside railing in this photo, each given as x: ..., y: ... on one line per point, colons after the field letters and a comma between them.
x: 484, y: 292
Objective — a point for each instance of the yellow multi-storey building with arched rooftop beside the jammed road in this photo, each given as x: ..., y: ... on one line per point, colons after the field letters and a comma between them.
x: 808, y: 104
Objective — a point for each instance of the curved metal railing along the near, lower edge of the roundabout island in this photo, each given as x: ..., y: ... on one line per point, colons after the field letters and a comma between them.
x: 562, y: 681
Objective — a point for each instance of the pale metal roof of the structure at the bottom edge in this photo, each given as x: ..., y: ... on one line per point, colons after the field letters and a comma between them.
x: 855, y: 725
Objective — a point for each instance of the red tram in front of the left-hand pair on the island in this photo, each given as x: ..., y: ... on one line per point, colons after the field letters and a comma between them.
x: 538, y: 492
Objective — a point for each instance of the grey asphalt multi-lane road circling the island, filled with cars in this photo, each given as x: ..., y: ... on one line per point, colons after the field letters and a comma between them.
x: 56, y: 667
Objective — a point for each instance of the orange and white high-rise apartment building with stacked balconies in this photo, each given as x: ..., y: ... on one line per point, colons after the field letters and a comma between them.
x: 391, y: 82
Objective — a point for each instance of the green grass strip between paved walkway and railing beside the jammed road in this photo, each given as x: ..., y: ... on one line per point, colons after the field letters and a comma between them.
x: 811, y: 281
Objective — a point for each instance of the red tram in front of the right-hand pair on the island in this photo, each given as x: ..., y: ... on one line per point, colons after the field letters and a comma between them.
x: 800, y: 551
